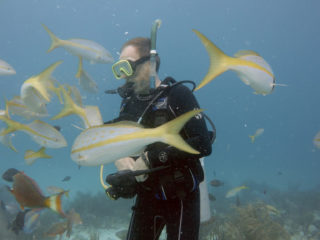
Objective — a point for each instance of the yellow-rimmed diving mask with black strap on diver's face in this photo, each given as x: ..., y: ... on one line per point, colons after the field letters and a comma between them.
x: 126, y: 68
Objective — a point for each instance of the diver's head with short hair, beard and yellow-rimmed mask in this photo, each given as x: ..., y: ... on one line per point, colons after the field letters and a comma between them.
x: 134, y: 64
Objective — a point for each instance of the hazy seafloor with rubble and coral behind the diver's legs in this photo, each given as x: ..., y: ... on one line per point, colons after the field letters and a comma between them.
x: 277, y: 215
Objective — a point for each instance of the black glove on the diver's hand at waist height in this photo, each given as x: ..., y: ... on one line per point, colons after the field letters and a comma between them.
x: 123, y: 184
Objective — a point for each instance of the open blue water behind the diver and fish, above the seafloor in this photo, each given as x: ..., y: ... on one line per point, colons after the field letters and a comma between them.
x: 285, y: 33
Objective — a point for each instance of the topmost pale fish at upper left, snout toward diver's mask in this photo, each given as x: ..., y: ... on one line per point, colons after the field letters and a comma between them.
x: 89, y: 50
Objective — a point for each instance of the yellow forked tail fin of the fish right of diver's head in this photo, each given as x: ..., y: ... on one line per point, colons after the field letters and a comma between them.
x: 219, y: 61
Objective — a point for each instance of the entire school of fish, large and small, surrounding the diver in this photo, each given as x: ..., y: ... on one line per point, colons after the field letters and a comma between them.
x: 100, y: 143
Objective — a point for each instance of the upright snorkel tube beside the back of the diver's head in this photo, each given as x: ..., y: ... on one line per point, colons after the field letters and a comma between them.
x: 153, y: 53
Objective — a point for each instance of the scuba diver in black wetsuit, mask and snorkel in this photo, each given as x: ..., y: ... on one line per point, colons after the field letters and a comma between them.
x: 168, y: 195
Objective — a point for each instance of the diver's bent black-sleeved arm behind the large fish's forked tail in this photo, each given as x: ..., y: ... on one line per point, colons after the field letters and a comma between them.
x: 195, y: 132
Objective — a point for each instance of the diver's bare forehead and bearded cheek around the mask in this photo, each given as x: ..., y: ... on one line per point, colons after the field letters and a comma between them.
x: 140, y: 77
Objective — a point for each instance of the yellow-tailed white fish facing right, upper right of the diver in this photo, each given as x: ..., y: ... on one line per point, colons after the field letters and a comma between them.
x: 252, y: 69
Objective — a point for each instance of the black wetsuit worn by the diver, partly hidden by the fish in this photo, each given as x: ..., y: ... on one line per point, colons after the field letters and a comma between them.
x: 169, y: 197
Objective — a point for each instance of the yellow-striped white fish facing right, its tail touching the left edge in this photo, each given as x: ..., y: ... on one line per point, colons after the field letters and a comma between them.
x: 42, y: 133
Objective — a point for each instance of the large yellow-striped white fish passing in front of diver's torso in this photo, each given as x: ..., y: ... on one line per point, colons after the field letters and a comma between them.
x: 110, y: 142
